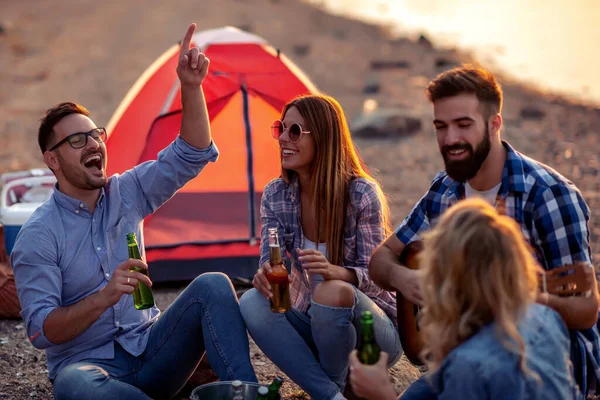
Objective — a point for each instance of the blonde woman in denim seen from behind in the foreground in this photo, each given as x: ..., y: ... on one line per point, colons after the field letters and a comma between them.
x: 485, y: 336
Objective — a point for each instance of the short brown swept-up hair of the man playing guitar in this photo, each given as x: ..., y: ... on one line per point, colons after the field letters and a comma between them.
x: 468, y: 79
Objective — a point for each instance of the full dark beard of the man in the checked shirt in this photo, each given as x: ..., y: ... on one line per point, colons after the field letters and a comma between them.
x: 466, y: 169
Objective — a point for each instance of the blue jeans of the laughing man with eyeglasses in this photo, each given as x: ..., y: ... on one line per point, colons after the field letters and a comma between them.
x: 205, y: 317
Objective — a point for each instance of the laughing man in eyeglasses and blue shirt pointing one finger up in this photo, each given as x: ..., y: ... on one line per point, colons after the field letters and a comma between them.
x: 73, y: 273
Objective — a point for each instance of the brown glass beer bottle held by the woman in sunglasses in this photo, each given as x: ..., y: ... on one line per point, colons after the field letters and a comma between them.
x: 278, y: 278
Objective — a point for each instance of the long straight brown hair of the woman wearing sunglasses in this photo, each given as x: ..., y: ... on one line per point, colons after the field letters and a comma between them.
x: 336, y: 164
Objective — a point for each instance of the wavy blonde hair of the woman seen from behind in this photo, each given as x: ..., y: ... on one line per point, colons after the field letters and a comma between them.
x: 477, y: 269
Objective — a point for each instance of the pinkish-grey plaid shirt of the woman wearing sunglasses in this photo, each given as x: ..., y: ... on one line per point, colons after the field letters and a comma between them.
x: 280, y: 208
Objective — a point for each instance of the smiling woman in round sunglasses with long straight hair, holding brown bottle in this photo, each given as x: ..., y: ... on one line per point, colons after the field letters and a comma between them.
x: 330, y: 214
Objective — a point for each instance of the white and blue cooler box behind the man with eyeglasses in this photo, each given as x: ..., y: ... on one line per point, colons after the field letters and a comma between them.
x: 18, y: 200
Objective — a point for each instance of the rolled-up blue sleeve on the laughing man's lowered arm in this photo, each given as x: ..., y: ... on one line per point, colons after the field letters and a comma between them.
x: 38, y: 279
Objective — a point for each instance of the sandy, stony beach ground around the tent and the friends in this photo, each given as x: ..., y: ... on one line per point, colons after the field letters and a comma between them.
x: 92, y: 52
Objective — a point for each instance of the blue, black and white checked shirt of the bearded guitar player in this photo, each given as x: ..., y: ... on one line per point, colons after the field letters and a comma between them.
x: 554, y: 219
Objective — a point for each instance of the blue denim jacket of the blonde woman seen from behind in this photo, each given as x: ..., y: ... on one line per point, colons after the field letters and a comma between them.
x: 482, y: 368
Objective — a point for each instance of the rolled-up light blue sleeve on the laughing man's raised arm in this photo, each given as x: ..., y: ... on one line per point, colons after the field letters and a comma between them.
x: 150, y: 184
